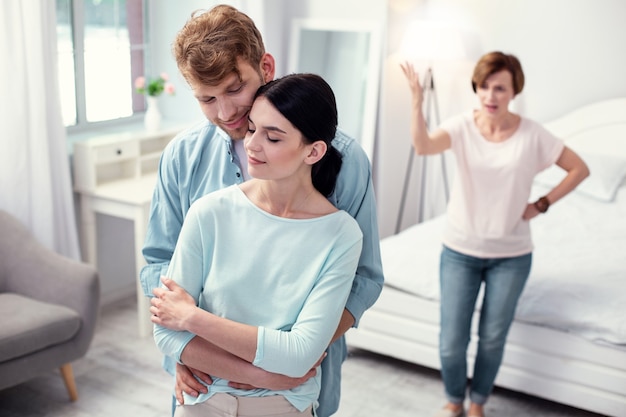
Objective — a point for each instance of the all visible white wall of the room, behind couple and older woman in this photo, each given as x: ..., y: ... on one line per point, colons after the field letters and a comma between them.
x: 571, y: 51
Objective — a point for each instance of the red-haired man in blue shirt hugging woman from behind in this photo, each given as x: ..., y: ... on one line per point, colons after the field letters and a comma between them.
x: 222, y: 57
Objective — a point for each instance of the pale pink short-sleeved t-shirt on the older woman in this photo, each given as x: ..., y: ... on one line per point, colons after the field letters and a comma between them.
x: 492, y: 187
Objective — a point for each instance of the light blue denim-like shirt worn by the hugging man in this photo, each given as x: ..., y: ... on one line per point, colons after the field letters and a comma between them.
x: 202, y: 159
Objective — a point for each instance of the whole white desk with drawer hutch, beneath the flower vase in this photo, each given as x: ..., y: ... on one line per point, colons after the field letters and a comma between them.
x: 115, y: 175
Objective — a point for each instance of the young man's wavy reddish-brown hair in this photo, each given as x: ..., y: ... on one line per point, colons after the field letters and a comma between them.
x: 208, y: 47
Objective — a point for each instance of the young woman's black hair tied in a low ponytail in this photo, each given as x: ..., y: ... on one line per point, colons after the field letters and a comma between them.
x: 308, y: 102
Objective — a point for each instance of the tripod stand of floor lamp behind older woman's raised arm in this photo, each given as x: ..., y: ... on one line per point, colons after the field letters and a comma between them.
x: 430, y: 106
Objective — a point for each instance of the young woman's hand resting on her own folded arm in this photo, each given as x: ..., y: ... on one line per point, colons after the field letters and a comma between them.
x: 172, y: 306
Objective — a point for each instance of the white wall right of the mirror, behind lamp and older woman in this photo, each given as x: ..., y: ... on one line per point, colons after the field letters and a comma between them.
x: 572, y: 53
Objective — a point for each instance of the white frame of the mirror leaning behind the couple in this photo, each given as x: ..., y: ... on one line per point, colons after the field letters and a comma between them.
x: 374, y: 60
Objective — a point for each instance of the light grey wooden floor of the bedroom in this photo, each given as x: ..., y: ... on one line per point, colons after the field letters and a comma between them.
x: 121, y: 376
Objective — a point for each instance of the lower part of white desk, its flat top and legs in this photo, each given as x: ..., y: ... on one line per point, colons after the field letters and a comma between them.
x: 126, y: 199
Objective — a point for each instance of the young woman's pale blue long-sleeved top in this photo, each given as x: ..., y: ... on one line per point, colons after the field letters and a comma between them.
x: 289, y: 277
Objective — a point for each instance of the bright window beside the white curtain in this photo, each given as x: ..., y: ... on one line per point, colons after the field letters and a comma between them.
x: 101, y: 51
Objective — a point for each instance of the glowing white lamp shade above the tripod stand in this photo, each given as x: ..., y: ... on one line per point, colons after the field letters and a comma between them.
x: 432, y: 41
